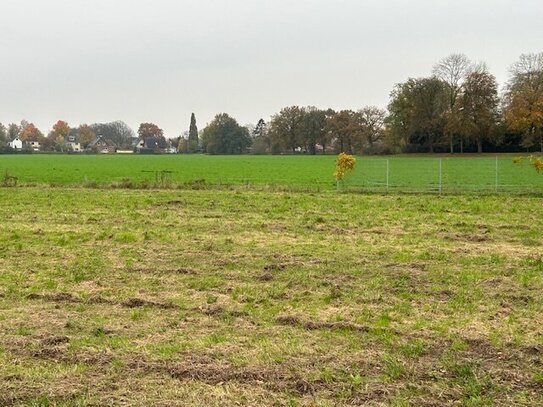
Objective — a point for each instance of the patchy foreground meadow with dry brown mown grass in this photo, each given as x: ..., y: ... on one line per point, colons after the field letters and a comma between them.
x: 247, y: 298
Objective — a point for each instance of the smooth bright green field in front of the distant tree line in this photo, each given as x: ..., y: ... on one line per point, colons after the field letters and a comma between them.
x: 422, y: 173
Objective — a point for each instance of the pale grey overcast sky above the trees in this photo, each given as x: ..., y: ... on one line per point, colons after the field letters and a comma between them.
x: 159, y: 60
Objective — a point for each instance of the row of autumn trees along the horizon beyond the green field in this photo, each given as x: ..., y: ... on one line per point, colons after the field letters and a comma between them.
x: 457, y: 109
